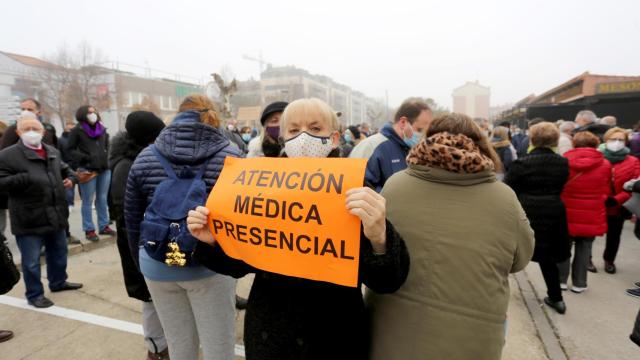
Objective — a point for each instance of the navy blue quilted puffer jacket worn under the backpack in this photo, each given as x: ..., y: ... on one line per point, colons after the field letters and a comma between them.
x: 186, y: 142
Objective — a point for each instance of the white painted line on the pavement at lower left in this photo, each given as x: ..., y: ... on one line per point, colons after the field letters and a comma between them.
x: 88, y: 318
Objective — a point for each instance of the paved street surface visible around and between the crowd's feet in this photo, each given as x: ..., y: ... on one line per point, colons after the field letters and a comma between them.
x: 596, y: 325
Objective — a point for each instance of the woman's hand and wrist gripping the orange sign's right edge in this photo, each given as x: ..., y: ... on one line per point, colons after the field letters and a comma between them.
x: 370, y: 207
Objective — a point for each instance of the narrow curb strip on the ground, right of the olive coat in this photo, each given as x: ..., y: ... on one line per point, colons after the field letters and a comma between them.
x: 544, y: 327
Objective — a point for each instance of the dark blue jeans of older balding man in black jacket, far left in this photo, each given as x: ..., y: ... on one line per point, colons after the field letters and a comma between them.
x: 55, y: 245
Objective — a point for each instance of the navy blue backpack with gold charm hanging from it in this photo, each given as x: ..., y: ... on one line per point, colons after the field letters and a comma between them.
x: 164, y: 230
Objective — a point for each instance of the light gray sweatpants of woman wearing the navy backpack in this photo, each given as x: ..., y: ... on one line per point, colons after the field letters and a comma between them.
x: 198, y: 312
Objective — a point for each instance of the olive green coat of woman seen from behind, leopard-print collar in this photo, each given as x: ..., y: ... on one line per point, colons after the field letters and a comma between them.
x: 465, y: 234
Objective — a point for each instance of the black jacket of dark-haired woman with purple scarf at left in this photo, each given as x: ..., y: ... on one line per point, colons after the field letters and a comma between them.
x: 86, y: 152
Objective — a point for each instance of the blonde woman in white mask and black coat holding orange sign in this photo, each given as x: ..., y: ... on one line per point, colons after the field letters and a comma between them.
x: 295, y: 318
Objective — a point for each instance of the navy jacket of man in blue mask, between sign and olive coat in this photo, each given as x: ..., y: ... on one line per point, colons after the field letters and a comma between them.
x: 388, y: 158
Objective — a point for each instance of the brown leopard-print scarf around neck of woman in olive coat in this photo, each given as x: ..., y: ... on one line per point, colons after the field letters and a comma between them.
x: 455, y: 153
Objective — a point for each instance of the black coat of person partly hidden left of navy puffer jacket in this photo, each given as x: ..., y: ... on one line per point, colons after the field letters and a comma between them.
x: 122, y: 153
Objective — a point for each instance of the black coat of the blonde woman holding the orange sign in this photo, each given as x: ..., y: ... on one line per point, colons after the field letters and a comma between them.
x: 294, y: 318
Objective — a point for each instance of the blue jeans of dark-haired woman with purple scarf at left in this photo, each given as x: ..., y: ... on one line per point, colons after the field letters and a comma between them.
x: 98, y: 187
